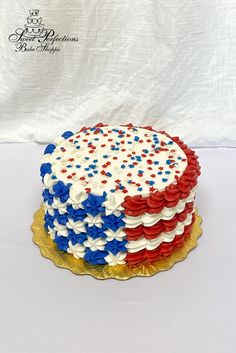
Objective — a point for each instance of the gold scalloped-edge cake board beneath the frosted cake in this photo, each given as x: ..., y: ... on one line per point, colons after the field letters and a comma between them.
x: 122, y: 272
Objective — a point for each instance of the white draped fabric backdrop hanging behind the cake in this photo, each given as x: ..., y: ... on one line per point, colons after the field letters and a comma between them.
x: 168, y: 63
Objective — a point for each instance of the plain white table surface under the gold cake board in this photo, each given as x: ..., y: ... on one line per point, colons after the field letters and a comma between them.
x: 189, y: 309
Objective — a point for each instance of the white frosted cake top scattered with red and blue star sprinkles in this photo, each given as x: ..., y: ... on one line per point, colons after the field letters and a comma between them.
x: 116, y: 159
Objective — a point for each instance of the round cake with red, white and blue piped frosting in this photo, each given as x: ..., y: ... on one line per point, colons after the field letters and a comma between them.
x: 119, y: 195
